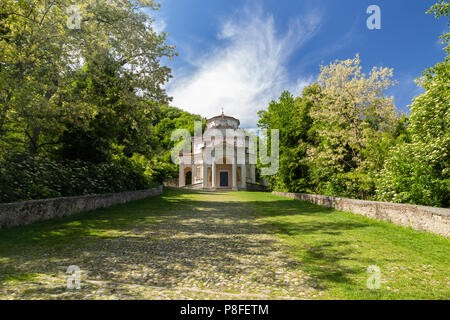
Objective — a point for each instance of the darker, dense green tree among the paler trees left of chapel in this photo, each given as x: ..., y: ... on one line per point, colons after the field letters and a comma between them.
x: 121, y: 117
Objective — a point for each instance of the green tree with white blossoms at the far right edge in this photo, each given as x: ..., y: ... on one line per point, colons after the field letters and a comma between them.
x: 418, y: 170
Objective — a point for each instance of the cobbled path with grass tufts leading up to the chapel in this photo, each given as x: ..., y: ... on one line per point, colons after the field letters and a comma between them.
x: 202, y: 246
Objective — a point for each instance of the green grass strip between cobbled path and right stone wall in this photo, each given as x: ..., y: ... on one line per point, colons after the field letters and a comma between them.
x: 337, y: 247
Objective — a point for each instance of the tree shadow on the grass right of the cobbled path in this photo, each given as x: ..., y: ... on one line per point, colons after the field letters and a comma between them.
x: 317, y: 238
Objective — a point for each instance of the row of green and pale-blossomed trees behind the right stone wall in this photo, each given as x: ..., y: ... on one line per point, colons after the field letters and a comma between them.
x: 343, y: 138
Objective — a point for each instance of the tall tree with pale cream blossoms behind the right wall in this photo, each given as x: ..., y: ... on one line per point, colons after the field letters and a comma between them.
x: 354, y: 122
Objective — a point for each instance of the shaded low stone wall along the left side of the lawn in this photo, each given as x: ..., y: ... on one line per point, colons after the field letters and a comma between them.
x: 22, y: 213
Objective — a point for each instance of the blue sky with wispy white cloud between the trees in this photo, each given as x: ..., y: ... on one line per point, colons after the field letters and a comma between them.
x: 240, y: 55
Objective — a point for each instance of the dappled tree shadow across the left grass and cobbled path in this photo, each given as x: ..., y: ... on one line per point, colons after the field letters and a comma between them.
x: 159, y: 241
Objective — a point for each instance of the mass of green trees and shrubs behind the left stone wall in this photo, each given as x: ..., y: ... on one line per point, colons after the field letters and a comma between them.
x: 83, y: 110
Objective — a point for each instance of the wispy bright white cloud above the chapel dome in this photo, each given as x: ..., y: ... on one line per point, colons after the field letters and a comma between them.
x: 246, y: 70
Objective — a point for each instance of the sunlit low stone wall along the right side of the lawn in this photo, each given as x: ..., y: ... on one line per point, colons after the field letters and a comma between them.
x: 435, y: 220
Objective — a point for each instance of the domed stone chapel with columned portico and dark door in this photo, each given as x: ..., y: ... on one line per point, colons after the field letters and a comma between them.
x: 223, y: 158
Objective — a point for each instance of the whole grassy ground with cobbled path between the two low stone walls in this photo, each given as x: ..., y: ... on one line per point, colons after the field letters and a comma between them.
x: 223, y: 245
